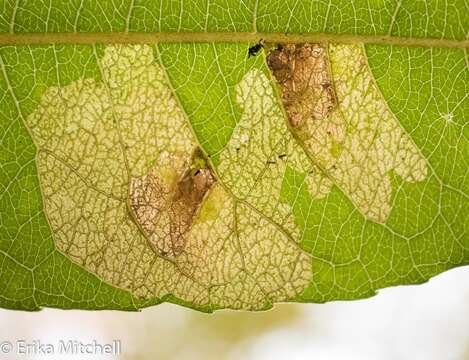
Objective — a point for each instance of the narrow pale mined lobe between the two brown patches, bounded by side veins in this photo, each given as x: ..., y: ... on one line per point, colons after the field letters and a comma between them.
x: 253, y: 163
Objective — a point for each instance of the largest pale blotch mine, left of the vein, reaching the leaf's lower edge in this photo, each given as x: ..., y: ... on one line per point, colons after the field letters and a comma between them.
x: 100, y: 141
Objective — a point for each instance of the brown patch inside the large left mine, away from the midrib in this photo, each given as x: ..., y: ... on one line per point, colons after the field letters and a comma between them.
x: 166, y: 207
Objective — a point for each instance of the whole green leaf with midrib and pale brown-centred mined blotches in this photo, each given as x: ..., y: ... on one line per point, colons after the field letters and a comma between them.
x: 144, y: 157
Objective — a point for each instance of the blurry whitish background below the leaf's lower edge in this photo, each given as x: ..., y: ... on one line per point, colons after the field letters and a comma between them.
x: 429, y: 321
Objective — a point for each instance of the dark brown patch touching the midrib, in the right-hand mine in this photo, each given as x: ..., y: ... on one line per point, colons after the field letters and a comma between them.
x: 303, y: 72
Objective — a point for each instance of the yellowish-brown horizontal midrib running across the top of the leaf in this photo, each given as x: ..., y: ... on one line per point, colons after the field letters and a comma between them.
x: 191, y: 37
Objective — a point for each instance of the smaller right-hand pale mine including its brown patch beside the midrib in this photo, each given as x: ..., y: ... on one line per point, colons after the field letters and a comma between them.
x: 357, y: 142
